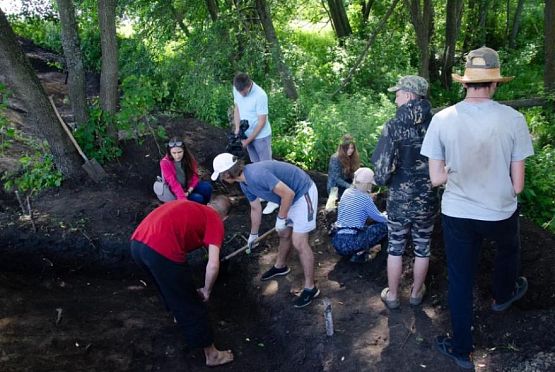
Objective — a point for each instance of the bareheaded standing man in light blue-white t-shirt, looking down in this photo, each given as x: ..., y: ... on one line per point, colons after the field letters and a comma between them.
x: 251, y: 104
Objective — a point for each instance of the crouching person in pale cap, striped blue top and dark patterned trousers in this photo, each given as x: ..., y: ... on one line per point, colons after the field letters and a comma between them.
x: 351, y: 236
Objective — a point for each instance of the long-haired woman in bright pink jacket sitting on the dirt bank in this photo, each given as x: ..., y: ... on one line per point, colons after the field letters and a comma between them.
x: 180, y: 171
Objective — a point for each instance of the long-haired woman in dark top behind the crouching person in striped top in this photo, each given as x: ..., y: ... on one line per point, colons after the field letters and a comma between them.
x: 343, y: 165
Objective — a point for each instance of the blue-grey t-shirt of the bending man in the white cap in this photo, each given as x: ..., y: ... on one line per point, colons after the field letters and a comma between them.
x: 262, y: 177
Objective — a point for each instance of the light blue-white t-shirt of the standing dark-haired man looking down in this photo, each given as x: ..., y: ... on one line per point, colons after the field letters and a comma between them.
x: 251, y: 106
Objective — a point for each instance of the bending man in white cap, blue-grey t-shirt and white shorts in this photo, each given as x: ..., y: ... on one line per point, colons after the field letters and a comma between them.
x: 297, y: 196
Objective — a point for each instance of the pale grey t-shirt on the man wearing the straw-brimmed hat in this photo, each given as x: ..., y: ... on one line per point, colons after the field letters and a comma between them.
x: 478, y: 142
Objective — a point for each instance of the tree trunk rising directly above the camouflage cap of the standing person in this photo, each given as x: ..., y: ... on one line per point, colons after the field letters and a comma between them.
x: 422, y: 18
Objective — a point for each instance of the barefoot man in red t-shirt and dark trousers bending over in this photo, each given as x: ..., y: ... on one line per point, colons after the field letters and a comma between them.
x: 160, y: 245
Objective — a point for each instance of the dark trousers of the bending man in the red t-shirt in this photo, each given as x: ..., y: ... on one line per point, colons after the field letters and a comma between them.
x: 175, y: 283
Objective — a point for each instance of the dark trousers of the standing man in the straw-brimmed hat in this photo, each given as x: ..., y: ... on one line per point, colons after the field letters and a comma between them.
x: 463, y: 239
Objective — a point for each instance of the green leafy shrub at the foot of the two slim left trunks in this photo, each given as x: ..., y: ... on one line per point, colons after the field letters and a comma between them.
x: 94, y: 137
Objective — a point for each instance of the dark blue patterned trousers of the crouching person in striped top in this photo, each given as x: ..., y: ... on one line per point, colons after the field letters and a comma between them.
x: 349, y: 244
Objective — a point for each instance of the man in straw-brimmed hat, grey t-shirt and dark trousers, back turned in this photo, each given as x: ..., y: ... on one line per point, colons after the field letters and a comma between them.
x: 478, y: 148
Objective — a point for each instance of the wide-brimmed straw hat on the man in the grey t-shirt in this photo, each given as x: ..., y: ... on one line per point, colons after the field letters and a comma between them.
x: 482, y: 66
